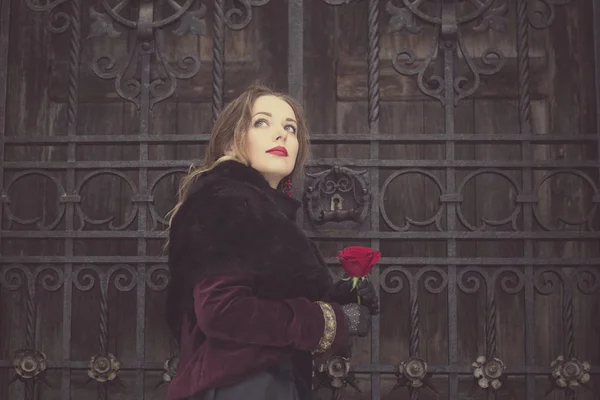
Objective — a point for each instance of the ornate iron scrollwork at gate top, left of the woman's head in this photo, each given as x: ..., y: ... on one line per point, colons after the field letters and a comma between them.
x: 146, y: 91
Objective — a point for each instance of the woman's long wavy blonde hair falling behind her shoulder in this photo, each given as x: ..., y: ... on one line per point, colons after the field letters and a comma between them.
x: 230, y: 132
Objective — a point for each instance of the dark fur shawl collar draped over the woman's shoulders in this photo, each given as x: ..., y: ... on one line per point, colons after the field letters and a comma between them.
x: 232, y: 222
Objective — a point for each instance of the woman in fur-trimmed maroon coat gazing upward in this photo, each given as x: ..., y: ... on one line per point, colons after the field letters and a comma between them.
x: 250, y: 298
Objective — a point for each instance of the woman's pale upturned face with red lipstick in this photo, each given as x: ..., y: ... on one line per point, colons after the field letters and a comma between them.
x: 272, y: 141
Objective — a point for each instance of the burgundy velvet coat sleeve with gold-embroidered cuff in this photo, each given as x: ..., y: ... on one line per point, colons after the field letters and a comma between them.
x: 227, y: 309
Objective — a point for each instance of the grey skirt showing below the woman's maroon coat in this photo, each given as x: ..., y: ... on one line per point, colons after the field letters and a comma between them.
x: 277, y: 383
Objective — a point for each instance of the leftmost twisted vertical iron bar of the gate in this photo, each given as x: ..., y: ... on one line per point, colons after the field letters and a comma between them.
x: 73, y: 108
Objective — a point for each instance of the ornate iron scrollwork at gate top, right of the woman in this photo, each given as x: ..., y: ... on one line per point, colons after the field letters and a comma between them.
x: 447, y: 20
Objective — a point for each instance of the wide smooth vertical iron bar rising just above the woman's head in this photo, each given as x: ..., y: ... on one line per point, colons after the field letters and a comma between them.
x: 296, y: 76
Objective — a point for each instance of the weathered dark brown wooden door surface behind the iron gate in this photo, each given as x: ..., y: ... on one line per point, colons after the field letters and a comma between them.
x: 563, y: 102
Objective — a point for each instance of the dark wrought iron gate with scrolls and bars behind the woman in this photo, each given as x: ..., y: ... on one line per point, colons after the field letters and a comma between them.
x: 345, y: 197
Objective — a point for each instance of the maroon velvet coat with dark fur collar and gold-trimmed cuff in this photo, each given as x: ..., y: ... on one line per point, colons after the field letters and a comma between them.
x: 244, y: 281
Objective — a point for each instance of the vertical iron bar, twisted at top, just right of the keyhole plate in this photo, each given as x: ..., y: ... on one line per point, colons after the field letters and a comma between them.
x: 373, y: 116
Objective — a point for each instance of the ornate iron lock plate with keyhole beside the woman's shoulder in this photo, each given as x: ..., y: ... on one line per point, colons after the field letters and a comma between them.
x: 330, y: 192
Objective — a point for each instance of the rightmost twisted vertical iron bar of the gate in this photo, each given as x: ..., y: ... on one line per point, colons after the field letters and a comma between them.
x: 526, y: 154
